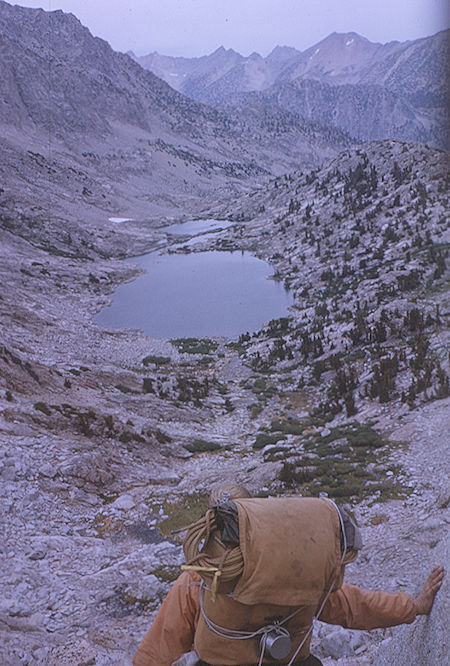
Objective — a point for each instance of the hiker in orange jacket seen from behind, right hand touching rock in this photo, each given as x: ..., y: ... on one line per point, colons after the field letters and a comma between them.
x: 170, y: 639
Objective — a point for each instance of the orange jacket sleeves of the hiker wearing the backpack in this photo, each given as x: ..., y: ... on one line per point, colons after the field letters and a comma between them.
x: 172, y: 632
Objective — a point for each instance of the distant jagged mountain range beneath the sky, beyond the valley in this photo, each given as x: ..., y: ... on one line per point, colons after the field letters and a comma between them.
x: 372, y: 91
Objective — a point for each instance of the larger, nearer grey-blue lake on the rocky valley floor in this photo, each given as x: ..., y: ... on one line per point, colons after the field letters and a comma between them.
x: 199, y: 294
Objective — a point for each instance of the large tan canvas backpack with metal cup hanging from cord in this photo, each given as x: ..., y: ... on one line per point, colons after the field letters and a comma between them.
x: 258, y: 599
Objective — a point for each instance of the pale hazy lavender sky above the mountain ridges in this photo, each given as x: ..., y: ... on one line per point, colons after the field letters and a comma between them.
x: 197, y: 27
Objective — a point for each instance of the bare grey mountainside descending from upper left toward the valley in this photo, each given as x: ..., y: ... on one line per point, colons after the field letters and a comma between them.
x: 68, y: 97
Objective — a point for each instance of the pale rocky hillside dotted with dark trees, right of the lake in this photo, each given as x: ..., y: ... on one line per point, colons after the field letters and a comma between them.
x: 363, y: 244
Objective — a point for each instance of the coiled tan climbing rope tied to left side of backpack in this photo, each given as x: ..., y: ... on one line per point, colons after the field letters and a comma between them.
x: 227, y: 566
